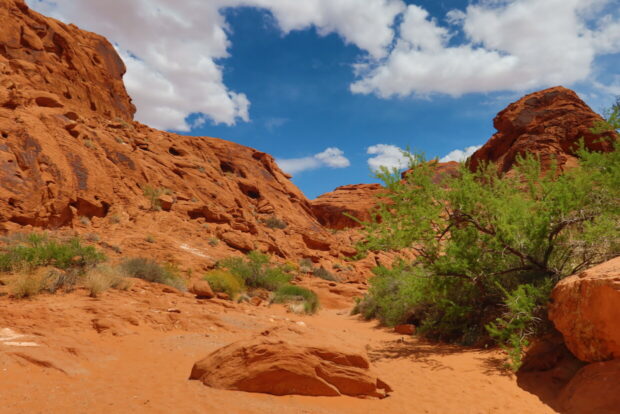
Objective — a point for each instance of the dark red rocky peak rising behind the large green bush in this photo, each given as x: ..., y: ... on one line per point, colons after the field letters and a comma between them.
x: 547, y: 123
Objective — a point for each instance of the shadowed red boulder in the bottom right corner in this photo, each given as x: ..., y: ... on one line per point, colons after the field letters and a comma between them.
x: 595, y: 389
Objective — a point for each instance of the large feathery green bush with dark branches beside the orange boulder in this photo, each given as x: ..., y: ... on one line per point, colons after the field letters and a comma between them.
x: 490, y: 246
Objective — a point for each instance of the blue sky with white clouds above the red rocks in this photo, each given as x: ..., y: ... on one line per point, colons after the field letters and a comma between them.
x: 317, y: 83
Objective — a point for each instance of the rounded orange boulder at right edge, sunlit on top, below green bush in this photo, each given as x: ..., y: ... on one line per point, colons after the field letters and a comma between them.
x: 585, y: 308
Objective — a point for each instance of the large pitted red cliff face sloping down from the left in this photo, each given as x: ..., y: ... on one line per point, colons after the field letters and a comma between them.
x: 71, y: 156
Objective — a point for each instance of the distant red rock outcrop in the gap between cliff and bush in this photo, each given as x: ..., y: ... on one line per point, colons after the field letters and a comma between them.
x: 357, y: 200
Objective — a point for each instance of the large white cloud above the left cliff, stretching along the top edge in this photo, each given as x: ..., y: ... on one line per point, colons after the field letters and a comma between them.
x: 173, y: 50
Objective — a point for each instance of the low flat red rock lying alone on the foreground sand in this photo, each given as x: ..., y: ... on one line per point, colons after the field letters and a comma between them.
x: 273, y: 366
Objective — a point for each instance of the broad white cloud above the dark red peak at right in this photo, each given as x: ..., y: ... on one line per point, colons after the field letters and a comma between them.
x: 509, y: 45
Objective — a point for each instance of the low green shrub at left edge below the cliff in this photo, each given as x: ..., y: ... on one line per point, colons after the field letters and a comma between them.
x: 37, y: 250
